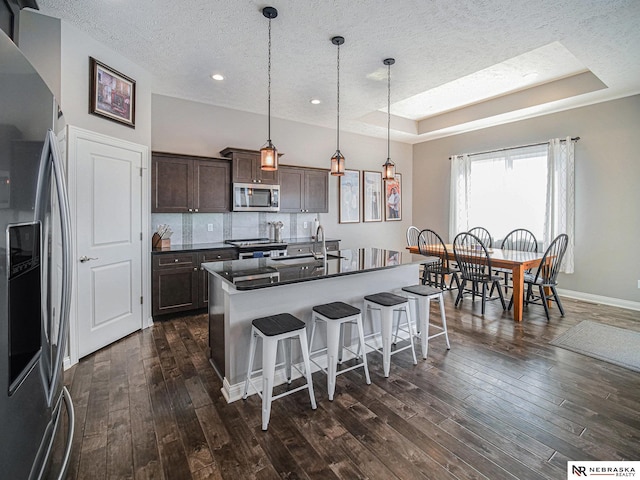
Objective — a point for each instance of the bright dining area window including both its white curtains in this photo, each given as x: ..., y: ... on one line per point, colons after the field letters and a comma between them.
x: 530, y: 187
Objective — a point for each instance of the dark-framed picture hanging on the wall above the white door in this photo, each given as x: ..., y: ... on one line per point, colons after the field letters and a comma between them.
x: 112, y: 95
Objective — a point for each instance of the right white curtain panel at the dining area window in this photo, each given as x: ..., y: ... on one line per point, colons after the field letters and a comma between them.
x: 560, y: 208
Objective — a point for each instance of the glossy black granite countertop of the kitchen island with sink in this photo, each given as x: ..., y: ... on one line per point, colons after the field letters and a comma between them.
x: 253, y: 273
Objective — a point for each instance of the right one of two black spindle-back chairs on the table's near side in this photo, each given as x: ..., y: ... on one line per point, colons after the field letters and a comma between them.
x: 474, y: 262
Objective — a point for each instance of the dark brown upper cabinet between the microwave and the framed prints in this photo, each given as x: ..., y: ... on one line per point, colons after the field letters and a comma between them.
x: 304, y: 190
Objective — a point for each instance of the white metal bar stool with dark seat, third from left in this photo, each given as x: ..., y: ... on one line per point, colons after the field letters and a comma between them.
x: 387, y: 304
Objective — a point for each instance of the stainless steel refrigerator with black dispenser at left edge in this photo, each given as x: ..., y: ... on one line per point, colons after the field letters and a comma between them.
x: 36, y: 412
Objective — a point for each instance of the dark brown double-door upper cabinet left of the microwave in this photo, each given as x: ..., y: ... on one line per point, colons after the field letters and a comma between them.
x: 185, y: 183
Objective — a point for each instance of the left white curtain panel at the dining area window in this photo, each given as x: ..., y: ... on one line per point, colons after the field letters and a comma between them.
x: 459, y: 194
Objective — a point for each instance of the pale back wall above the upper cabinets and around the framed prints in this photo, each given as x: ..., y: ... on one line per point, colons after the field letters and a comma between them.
x: 182, y: 126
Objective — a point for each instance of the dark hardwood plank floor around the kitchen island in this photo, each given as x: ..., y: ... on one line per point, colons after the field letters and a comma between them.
x: 501, y: 404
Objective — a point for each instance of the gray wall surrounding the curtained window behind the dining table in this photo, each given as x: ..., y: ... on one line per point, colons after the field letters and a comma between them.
x: 607, y: 255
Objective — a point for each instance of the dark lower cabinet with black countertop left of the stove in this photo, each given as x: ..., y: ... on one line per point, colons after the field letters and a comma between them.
x: 179, y: 284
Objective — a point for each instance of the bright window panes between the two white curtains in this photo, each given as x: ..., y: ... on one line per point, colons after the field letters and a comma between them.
x: 507, y: 190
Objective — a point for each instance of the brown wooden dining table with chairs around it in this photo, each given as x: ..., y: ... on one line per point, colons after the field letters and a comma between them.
x: 515, y: 260
